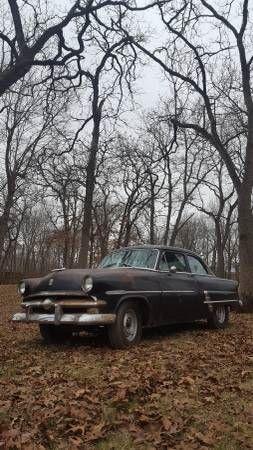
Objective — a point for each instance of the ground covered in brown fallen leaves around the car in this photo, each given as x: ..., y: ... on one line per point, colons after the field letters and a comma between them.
x: 183, y: 387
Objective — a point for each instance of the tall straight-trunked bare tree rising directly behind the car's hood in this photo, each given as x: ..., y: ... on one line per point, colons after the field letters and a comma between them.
x: 118, y: 62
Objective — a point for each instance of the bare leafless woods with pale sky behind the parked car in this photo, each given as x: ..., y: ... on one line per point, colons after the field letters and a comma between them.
x: 75, y: 182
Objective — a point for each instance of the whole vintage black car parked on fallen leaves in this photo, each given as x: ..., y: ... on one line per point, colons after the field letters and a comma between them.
x: 133, y: 287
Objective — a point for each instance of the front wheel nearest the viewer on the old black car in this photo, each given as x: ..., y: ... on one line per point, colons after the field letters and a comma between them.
x: 127, y: 329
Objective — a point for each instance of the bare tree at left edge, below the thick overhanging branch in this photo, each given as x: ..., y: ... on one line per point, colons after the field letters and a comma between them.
x: 24, y: 130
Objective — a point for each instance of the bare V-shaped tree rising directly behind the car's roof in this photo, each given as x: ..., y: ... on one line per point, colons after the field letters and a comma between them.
x: 185, y: 165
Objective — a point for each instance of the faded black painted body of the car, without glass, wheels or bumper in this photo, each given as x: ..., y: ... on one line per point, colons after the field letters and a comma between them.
x: 164, y: 297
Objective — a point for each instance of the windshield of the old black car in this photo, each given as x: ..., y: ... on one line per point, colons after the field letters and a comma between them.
x: 142, y: 257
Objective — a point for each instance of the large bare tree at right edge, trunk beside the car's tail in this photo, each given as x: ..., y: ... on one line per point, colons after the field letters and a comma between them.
x: 214, y: 85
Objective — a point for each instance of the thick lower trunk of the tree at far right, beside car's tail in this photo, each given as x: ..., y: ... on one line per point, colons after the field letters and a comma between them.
x: 245, y: 223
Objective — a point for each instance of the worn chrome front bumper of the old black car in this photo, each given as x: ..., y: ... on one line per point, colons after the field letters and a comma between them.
x: 58, y: 319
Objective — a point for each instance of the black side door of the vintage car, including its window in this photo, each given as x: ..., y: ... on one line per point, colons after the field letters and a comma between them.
x: 180, y: 291
